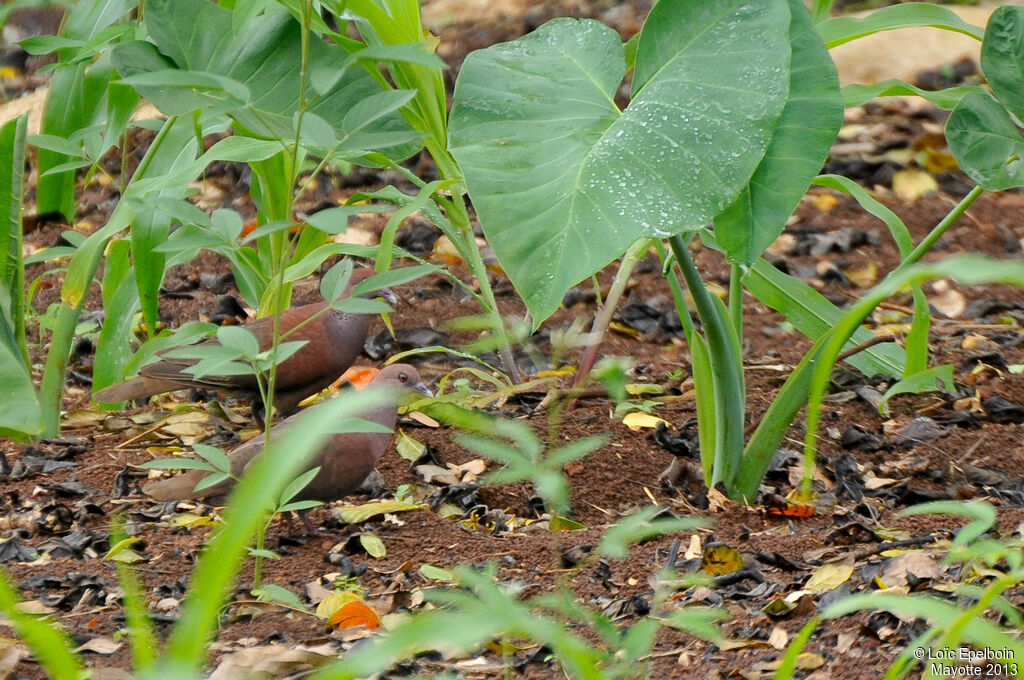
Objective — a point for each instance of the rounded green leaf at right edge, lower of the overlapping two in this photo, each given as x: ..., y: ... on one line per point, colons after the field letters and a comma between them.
x: 987, y: 144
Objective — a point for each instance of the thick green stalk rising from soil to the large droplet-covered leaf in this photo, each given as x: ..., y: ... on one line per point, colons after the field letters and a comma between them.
x: 727, y: 368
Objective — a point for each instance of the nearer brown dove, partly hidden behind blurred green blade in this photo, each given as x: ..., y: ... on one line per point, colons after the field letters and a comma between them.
x: 346, y: 460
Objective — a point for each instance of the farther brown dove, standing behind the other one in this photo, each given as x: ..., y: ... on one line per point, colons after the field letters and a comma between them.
x: 334, y: 341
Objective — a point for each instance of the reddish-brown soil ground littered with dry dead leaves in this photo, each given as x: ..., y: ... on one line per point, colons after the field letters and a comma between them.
x: 63, y: 517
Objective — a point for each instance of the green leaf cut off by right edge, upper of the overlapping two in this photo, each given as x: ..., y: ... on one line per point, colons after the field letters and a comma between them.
x: 1003, y: 58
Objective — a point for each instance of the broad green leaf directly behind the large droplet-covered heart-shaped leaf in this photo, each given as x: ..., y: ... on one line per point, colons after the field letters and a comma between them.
x: 809, y: 124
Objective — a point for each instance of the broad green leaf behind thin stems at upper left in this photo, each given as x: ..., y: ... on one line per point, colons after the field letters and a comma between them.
x: 265, y: 57
